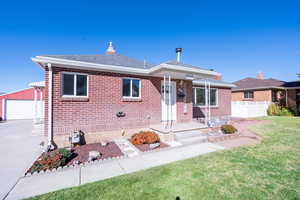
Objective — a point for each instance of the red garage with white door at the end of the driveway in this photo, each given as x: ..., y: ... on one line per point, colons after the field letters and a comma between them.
x: 23, y: 104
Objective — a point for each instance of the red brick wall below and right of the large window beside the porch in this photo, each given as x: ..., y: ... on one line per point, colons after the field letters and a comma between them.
x: 223, y: 108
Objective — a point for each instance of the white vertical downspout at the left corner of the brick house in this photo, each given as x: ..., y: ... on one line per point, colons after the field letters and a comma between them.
x: 50, y: 133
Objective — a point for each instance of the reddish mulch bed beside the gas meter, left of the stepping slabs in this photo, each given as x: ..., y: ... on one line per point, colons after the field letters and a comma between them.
x: 108, y: 151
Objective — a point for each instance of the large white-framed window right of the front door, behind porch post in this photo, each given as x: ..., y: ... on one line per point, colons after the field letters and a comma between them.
x: 199, y: 96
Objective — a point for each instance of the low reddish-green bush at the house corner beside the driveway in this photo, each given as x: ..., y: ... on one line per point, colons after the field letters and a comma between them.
x: 51, y: 160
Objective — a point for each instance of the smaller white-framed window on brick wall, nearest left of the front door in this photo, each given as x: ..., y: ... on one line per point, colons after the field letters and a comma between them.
x: 131, y: 88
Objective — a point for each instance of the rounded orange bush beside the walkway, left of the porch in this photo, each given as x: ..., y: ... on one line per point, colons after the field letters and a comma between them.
x: 145, y: 137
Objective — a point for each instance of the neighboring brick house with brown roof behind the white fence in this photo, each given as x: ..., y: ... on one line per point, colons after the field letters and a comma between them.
x: 271, y: 90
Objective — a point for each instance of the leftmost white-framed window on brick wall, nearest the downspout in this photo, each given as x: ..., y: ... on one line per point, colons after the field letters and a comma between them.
x: 74, y: 85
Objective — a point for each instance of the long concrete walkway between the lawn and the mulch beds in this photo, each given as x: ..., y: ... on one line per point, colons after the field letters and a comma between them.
x: 48, y: 182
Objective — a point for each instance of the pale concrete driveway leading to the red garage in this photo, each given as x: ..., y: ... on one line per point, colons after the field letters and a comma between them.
x: 18, y: 149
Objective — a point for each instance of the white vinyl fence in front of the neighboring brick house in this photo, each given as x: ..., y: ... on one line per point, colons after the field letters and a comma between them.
x: 247, y: 109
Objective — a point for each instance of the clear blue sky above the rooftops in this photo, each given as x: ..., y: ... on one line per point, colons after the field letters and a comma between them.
x: 236, y: 38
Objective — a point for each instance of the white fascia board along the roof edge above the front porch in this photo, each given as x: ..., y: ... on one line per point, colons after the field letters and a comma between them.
x: 182, y: 68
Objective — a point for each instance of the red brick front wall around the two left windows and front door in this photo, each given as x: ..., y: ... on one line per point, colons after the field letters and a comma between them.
x: 98, y: 112
